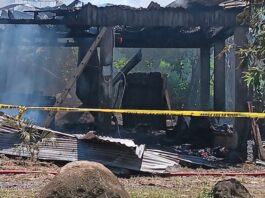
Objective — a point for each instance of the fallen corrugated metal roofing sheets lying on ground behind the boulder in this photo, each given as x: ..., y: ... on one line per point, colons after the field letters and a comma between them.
x: 113, y: 152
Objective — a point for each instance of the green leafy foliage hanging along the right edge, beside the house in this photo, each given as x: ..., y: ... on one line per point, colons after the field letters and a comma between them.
x: 253, y: 55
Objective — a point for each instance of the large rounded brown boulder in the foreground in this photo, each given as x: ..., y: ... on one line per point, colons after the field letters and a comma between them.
x: 84, y: 179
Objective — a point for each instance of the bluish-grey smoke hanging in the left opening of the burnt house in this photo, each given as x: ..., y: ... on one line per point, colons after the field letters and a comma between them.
x: 22, y: 79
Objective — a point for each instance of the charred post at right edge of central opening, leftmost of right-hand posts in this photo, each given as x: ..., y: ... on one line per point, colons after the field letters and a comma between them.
x: 205, y: 78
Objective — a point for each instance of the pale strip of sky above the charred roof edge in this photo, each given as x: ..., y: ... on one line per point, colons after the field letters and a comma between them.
x: 134, y: 3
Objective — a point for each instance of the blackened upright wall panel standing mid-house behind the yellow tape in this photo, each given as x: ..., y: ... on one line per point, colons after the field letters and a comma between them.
x: 144, y: 91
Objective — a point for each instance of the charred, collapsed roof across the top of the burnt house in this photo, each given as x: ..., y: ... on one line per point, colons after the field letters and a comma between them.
x: 173, y: 26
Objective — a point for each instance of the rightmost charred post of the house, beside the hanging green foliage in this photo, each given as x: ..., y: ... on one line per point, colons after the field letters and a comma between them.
x: 241, y: 92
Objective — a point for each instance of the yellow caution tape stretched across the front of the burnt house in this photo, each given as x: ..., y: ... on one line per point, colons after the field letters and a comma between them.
x: 144, y: 112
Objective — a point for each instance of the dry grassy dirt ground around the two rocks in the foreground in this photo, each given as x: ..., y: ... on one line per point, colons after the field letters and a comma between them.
x: 27, y: 185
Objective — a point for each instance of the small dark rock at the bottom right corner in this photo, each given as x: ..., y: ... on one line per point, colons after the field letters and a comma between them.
x: 230, y: 188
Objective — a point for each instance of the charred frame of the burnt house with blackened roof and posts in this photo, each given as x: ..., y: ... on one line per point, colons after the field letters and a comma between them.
x: 95, y: 31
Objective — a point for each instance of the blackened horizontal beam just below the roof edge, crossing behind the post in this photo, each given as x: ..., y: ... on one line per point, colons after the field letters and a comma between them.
x: 165, y: 37
